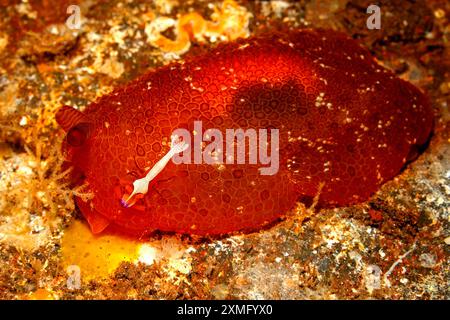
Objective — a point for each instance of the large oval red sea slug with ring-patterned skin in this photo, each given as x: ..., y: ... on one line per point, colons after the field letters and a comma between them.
x: 343, y: 122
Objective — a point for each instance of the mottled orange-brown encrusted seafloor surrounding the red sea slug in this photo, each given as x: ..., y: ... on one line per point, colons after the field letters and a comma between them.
x: 394, y: 246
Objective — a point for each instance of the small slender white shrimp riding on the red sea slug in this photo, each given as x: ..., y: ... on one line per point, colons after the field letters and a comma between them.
x: 140, y: 186
